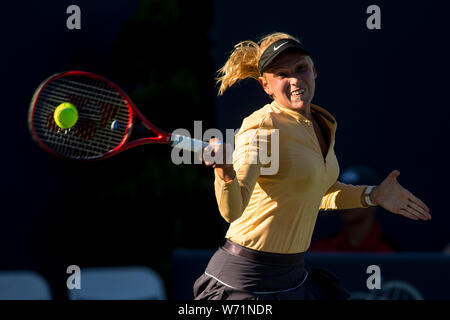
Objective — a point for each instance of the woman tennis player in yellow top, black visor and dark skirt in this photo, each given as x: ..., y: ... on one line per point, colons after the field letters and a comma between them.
x: 272, y: 216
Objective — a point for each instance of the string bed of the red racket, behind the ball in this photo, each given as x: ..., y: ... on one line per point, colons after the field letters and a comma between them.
x: 98, y: 105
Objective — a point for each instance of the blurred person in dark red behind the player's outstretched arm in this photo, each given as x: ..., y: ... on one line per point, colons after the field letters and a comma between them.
x: 360, y: 230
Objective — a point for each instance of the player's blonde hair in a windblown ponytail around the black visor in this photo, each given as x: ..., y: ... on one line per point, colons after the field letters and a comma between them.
x: 243, y: 60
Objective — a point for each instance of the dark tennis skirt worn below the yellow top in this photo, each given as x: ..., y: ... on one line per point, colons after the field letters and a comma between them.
x: 239, y: 273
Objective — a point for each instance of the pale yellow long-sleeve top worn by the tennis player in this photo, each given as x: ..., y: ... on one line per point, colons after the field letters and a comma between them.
x: 272, y: 206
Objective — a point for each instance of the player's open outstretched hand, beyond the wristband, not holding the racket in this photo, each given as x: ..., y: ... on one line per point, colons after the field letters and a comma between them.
x: 393, y: 197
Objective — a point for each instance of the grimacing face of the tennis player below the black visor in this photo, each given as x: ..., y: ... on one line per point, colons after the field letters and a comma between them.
x: 290, y: 80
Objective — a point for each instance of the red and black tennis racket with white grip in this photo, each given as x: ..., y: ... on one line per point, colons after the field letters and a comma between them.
x: 106, y: 116
